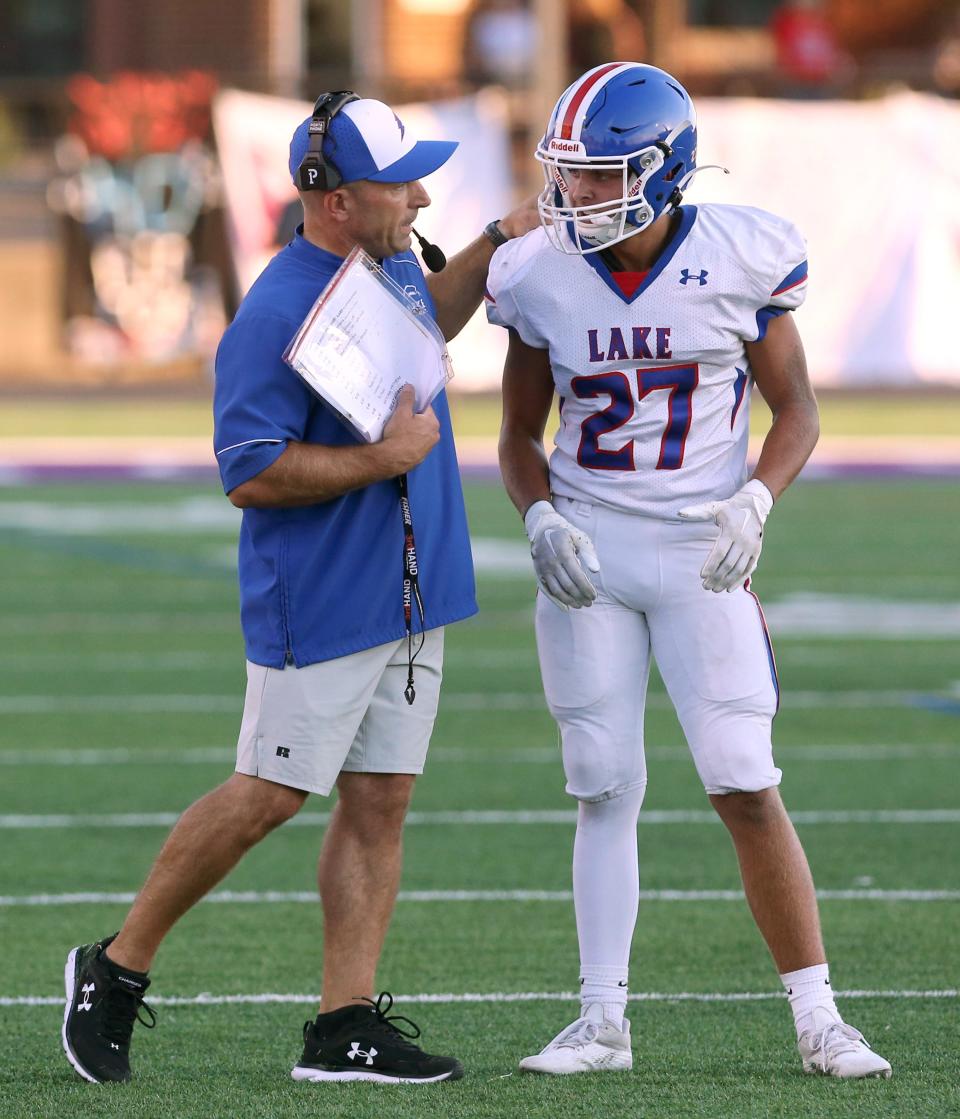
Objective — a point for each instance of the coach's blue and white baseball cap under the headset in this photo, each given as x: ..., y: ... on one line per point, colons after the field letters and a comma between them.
x: 368, y: 140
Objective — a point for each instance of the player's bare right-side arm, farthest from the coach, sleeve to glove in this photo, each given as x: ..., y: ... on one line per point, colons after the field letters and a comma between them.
x: 779, y: 369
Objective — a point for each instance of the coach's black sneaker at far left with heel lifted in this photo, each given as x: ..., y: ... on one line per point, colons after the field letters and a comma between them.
x: 103, y: 1002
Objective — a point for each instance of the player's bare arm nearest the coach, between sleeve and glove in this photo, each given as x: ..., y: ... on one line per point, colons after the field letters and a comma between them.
x: 529, y: 396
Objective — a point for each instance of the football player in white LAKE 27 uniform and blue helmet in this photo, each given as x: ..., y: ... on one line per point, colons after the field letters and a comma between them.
x: 652, y: 322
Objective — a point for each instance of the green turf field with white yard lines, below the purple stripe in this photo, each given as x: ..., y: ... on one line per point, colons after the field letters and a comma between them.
x: 121, y: 691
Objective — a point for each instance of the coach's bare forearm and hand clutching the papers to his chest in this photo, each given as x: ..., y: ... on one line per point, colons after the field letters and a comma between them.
x: 307, y: 474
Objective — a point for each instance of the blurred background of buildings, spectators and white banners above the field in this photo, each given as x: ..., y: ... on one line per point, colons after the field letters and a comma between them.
x: 143, y: 158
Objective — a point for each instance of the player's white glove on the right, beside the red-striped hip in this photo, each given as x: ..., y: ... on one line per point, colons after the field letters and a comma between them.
x: 737, y: 552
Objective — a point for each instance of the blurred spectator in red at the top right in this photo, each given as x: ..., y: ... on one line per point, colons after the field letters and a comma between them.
x: 810, y: 59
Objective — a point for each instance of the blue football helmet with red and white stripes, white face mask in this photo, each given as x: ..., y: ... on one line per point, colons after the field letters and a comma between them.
x: 623, y: 118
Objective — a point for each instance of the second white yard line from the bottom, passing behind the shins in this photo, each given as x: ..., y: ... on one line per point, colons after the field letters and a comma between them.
x: 308, y: 898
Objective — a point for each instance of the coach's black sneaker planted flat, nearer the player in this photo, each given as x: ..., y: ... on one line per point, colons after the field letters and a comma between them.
x: 363, y: 1043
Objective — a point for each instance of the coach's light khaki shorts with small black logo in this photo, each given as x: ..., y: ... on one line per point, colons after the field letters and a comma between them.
x: 304, y: 727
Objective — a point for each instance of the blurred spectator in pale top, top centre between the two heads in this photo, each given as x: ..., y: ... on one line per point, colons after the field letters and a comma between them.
x: 500, y: 44
